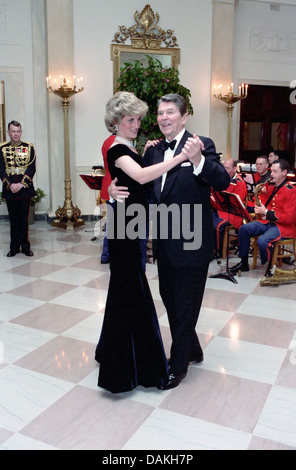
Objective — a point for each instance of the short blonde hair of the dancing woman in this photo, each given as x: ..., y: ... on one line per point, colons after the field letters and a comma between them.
x: 123, y: 103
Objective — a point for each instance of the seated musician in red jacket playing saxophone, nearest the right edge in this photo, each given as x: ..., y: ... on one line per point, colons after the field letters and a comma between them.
x: 276, y: 218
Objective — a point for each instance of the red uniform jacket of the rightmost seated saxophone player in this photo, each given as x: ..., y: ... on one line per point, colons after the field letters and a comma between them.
x: 281, y: 204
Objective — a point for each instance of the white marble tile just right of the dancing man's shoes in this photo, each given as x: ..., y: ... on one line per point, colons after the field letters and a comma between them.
x: 243, y: 359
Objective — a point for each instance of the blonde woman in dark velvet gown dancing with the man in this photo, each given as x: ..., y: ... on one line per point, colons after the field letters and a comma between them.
x: 130, y: 350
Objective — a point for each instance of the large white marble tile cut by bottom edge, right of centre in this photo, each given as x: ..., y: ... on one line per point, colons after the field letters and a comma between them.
x: 170, y: 431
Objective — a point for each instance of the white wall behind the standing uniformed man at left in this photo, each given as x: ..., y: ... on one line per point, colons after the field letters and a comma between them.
x: 24, y: 101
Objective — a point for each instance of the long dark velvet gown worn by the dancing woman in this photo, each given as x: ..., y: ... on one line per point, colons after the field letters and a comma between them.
x: 130, y: 350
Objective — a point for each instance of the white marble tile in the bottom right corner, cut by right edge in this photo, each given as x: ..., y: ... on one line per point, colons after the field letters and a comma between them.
x: 278, y: 419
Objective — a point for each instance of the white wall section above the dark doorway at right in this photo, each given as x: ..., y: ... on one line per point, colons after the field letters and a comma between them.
x: 271, y: 58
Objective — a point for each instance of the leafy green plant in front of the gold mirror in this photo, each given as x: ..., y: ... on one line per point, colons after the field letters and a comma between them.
x: 149, y: 83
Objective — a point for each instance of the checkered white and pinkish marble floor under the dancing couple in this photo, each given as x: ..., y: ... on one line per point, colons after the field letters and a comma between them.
x: 243, y: 396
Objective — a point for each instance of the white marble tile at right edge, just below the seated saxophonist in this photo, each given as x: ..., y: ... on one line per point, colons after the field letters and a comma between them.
x: 276, y: 308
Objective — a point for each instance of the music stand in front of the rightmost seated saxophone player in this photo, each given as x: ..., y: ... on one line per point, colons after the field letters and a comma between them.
x: 232, y: 204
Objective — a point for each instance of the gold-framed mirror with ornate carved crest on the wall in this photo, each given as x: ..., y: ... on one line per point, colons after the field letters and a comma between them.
x: 146, y: 38
